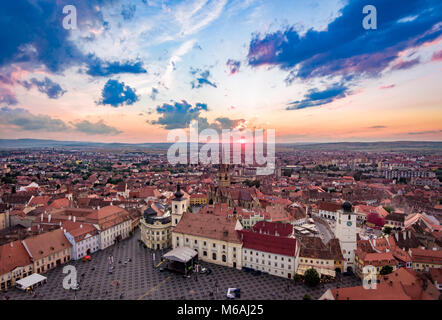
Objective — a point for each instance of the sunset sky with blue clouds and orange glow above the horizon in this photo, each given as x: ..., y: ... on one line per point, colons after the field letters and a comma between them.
x: 131, y: 71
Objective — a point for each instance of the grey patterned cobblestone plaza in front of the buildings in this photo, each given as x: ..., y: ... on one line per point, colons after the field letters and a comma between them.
x: 138, y: 279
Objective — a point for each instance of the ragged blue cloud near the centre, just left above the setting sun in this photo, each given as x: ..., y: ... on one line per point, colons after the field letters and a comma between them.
x: 178, y: 115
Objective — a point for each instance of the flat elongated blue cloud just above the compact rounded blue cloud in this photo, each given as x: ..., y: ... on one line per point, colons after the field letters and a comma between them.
x: 98, y: 67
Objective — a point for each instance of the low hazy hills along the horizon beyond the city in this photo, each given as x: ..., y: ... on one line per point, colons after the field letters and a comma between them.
x: 393, y: 146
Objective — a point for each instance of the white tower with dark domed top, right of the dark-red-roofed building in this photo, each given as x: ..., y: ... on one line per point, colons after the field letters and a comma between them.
x: 346, y: 233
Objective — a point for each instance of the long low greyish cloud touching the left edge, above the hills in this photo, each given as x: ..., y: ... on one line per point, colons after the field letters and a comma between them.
x: 23, y: 119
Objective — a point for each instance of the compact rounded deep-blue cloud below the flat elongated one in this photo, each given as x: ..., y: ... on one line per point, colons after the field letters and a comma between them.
x: 116, y: 94
